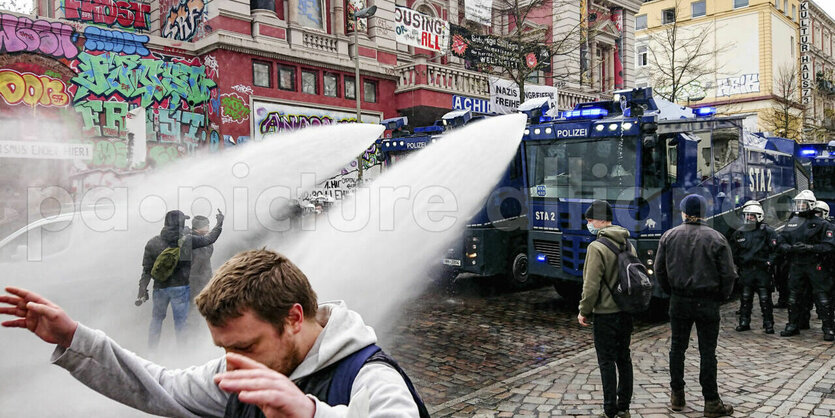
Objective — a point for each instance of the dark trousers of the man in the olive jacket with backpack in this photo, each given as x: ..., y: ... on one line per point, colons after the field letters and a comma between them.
x: 612, y: 336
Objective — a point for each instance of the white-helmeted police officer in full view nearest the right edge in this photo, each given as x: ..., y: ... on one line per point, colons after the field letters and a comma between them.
x: 806, y: 238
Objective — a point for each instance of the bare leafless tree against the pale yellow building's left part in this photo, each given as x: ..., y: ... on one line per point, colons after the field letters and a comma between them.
x: 682, y: 56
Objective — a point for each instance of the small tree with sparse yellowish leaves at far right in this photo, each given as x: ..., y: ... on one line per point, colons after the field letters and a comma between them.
x: 785, y: 117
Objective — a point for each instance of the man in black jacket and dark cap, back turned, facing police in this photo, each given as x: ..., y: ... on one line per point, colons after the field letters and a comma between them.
x: 695, y: 266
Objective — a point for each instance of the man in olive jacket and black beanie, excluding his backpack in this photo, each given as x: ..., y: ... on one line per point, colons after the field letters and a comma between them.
x: 612, y: 327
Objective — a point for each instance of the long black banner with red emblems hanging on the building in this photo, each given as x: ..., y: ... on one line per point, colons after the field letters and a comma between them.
x: 481, y: 51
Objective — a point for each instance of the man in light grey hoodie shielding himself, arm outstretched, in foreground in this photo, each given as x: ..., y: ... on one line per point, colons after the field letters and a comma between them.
x: 287, y: 356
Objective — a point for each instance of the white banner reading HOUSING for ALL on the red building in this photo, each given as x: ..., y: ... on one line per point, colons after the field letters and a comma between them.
x: 419, y: 30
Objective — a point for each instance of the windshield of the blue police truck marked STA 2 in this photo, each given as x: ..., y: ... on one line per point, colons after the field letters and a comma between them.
x: 601, y: 168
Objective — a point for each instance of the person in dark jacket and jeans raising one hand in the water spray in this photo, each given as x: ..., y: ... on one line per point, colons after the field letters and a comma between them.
x: 175, y: 289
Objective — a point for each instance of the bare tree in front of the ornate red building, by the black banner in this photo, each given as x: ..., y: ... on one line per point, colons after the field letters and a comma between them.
x: 532, y: 47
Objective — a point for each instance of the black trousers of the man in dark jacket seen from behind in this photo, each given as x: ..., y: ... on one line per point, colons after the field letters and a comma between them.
x: 704, y: 313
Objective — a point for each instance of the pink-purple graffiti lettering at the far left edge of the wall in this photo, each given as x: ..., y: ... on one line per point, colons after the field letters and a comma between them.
x: 48, y: 38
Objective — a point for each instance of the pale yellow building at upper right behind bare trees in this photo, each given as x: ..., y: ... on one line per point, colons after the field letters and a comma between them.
x: 741, y: 56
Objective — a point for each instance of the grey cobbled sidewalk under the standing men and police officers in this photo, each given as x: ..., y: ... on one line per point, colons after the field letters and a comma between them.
x: 760, y: 375
